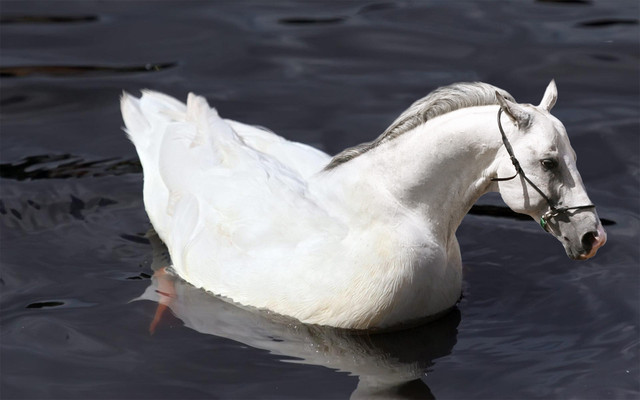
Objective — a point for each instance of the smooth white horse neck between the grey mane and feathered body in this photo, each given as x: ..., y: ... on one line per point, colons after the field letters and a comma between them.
x: 435, y: 172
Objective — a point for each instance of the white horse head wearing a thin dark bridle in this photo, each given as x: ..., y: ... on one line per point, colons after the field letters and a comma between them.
x: 548, y: 186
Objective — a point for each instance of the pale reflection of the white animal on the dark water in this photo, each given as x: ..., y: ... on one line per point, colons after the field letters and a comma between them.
x: 387, y: 364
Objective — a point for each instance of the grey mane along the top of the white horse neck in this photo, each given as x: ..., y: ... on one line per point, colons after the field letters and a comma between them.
x: 441, y: 101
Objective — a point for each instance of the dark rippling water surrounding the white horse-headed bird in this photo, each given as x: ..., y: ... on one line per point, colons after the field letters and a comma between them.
x: 75, y: 250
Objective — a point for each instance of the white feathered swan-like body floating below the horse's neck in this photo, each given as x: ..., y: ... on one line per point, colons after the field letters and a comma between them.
x: 251, y: 216
